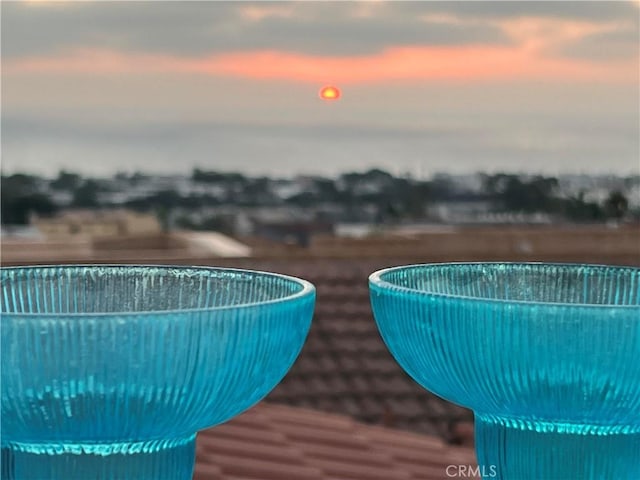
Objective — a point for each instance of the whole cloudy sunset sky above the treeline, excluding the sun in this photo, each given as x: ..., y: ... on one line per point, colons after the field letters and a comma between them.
x: 100, y: 87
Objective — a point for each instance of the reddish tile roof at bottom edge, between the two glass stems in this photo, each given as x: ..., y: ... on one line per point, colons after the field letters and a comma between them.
x: 286, y: 443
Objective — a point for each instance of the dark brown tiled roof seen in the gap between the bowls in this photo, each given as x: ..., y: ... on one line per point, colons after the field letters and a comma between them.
x: 346, y: 368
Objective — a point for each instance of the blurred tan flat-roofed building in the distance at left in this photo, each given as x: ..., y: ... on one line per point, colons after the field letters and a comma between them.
x: 96, y: 224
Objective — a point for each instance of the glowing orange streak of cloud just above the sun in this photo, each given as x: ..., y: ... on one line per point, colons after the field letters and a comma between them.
x: 408, y: 63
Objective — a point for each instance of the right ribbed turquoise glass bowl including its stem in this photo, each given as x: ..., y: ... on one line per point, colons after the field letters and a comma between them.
x: 547, y: 356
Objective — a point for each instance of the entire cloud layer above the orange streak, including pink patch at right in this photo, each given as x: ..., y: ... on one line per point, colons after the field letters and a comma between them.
x: 596, y: 31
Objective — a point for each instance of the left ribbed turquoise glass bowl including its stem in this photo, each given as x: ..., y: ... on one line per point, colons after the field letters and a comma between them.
x: 108, y: 372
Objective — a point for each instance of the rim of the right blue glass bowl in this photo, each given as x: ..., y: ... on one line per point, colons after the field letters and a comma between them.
x: 375, y: 279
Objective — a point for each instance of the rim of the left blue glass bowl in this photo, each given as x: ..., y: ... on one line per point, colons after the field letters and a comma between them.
x: 308, y: 289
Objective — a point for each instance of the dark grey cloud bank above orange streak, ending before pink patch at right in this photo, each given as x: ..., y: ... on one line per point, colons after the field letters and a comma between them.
x: 201, y: 28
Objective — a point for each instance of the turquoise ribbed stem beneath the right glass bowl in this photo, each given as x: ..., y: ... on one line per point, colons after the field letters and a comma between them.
x: 511, y: 450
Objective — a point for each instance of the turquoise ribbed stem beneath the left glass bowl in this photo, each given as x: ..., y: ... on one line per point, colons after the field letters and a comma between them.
x: 157, y: 460
